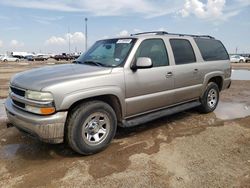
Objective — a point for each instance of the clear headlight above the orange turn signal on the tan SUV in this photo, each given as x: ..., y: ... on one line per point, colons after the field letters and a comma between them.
x: 39, y: 96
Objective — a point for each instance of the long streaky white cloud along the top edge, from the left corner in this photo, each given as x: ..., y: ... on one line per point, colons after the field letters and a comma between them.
x: 147, y: 8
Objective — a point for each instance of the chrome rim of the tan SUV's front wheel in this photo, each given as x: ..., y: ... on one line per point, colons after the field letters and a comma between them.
x: 96, y: 128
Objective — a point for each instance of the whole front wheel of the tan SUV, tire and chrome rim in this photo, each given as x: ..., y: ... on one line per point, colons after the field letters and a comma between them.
x: 99, y: 121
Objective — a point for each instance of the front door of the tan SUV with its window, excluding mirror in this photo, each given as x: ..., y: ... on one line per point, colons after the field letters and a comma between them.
x: 149, y: 89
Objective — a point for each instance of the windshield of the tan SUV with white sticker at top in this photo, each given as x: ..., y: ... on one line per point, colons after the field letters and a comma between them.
x: 107, y: 53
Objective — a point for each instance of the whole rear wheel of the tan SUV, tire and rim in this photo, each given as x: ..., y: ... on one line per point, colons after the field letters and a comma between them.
x: 210, y: 98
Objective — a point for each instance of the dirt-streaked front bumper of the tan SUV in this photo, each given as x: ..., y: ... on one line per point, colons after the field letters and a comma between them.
x: 49, y: 129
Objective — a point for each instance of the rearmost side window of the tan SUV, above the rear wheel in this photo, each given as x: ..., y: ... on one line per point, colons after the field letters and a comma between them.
x: 211, y: 50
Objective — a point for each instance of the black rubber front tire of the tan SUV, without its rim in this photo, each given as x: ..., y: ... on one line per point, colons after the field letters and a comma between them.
x: 81, y: 116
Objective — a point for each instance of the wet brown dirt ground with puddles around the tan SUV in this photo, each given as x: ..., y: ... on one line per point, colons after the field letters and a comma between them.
x: 188, y: 149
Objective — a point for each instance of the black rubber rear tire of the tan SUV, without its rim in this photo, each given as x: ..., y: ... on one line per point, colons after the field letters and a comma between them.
x: 204, y: 103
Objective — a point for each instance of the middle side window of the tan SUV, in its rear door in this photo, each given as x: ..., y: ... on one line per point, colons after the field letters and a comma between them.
x: 183, y: 51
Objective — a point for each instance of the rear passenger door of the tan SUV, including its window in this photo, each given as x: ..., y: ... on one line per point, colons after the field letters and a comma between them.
x: 187, y: 74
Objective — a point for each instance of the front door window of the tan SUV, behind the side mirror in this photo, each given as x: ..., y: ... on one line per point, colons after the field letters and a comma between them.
x: 154, y: 49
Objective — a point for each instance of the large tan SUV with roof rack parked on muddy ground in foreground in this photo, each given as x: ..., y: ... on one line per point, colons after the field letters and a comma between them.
x: 118, y: 82
